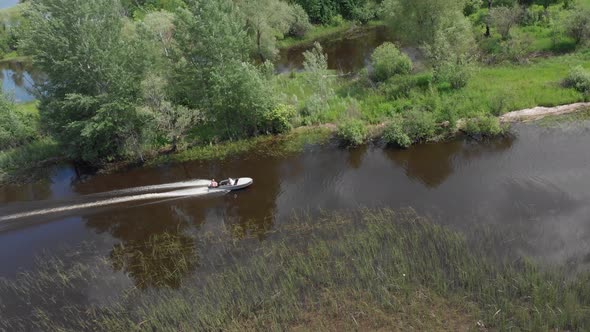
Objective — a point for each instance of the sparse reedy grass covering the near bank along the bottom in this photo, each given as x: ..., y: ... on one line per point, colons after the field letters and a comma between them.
x: 357, y: 270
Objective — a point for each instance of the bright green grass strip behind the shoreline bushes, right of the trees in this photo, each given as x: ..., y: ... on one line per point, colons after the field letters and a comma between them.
x: 492, y: 91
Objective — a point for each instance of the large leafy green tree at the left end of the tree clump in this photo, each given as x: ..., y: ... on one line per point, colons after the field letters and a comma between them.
x: 88, y: 100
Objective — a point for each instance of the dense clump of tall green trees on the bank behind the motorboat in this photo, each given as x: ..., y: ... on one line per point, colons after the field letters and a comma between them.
x: 118, y: 86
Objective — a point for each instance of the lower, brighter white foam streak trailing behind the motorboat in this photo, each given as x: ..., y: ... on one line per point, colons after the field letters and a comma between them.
x: 172, y: 194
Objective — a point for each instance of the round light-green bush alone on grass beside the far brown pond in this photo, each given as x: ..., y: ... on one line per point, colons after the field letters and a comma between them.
x: 387, y: 60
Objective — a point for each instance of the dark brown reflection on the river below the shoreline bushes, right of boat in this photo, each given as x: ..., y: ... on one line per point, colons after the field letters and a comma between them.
x: 432, y: 164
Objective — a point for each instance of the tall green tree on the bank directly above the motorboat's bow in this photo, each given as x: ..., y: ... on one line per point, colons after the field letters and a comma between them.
x: 212, y: 72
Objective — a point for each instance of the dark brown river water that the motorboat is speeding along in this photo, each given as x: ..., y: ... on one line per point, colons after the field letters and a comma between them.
x: 534, y: 184
